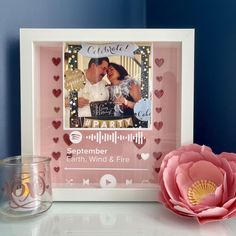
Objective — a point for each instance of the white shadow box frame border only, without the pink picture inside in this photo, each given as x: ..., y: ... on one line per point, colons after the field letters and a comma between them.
x: 31, y: 38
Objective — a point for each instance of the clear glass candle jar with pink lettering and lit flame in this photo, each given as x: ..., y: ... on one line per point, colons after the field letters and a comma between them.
x: 25, y: 185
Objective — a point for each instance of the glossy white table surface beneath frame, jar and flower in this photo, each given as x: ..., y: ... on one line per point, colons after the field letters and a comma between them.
x: 112, y: 219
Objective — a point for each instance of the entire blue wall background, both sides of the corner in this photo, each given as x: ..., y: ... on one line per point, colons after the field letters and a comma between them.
x: 215, y: 54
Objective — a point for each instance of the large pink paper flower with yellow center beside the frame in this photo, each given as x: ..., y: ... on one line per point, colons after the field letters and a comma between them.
x: 195, y: 182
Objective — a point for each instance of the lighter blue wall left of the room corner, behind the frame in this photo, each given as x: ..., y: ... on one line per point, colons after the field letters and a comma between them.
x: 15, y: 14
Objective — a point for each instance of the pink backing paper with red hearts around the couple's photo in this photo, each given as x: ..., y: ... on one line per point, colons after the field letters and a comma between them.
x: 137, y: 163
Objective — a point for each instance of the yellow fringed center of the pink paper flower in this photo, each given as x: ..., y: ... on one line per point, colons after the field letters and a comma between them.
x: 199, y: 190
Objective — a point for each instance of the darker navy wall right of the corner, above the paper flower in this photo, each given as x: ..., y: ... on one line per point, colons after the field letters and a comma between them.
x: 215, y: 63
